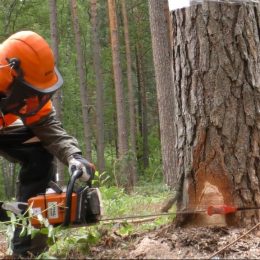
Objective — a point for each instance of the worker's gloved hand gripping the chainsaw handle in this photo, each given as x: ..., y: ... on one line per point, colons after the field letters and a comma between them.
x: 77, y: 162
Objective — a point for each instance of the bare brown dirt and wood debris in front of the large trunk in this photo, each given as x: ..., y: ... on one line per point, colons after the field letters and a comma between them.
x: 181, y: 243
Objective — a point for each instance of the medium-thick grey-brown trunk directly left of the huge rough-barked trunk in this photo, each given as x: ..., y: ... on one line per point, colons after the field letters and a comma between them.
x: 164, y: 82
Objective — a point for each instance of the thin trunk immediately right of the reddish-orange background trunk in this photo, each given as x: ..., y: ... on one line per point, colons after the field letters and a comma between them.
x: 131, y: 94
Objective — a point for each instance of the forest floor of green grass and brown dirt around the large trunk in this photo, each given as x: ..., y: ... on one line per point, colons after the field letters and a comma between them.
x: 157, y: 239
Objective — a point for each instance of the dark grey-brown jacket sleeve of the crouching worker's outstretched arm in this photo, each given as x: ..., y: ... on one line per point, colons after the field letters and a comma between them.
x: 54, y: 138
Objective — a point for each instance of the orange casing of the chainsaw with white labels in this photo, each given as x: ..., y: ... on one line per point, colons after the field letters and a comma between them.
x: 52, y: 207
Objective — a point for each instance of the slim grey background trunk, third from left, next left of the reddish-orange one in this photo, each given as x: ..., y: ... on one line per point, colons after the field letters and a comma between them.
x: 99, y: 88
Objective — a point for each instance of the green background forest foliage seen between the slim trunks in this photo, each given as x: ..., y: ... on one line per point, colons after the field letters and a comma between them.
x: 34, y: 15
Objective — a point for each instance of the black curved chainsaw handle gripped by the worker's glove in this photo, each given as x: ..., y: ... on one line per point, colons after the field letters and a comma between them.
x: 76, y: 175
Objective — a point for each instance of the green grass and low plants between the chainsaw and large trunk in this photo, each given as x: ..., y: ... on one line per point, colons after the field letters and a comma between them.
x: 75, y: 243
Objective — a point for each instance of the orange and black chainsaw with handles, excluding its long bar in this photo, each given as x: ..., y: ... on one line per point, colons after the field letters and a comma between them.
x: 68, y: 206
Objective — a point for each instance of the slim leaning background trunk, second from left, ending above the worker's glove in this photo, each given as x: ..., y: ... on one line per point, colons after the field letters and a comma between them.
x: 82, y: 78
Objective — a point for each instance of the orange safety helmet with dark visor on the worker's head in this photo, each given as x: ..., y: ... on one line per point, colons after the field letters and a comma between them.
x: 28, y: 76
